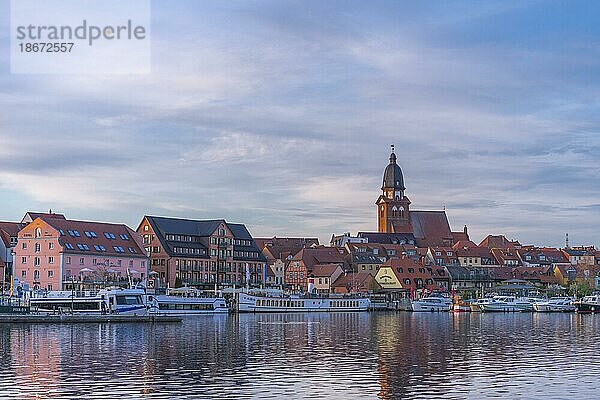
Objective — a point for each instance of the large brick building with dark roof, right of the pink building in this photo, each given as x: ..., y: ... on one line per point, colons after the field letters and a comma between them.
x: 206, y: 254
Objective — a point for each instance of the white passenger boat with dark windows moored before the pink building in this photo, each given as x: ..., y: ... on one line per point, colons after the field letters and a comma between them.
x: 106, y: 301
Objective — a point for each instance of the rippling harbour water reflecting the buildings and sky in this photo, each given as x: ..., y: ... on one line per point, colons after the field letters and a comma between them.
x: 318, y: 356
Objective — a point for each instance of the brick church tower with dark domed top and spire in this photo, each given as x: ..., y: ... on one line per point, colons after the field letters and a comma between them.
x: 392, y: 205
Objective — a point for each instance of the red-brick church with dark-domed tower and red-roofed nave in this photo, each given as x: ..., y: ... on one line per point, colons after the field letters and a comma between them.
x: 397, y: 223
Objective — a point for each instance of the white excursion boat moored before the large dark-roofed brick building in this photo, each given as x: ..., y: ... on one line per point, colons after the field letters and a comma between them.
x: 187, y: 301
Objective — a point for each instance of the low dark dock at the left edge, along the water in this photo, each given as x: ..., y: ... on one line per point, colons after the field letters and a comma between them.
x: 78, y: 319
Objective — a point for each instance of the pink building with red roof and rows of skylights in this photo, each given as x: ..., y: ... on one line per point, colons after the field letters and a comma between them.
x: 55, y: 253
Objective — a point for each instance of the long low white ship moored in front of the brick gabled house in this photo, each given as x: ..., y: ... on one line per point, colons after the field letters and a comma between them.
x: 255, y: 303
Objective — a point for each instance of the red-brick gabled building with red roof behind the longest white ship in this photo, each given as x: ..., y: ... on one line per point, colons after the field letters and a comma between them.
x: 303, y: 262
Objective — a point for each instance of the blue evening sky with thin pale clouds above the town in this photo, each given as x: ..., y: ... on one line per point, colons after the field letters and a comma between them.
x: 280, y: 115
